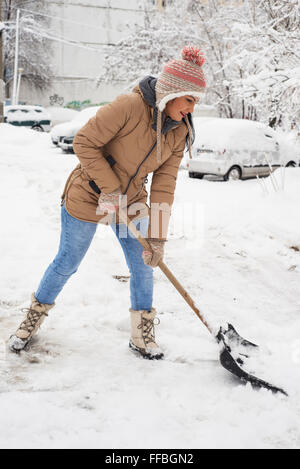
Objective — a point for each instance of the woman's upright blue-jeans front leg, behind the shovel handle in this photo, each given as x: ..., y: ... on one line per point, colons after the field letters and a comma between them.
x: 141, y: 280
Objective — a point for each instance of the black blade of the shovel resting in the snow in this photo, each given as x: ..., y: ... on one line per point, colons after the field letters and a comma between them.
x: 231, y: 364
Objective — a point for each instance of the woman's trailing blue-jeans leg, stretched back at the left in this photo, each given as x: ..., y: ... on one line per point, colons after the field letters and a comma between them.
x: 76, y: 237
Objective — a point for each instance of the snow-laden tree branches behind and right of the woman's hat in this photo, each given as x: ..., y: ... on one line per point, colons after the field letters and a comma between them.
x: 242, y: 41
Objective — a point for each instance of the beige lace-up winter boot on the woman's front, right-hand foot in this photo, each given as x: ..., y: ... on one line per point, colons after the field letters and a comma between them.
x: 142, y: 334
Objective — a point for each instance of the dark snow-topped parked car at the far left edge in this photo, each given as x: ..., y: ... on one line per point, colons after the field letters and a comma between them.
x: 34, y: 117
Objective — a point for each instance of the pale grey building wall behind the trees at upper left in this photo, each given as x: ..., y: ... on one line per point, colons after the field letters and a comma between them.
x: 80, y: 30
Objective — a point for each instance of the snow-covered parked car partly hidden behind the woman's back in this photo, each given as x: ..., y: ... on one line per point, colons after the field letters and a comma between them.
x: 63, y: 134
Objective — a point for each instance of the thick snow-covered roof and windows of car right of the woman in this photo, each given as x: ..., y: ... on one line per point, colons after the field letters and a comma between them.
x: 233, y: 134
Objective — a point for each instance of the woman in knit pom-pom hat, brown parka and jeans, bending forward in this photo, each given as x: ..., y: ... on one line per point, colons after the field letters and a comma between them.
x: 140, y: 133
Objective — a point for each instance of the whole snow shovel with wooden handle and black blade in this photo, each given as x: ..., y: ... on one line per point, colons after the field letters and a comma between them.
x: 234, y: 349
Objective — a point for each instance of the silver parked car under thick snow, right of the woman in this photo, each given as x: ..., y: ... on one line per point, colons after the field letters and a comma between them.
x: 238, y: 149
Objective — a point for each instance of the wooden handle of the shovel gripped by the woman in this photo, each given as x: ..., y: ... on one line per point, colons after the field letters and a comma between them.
x: 125, y: 219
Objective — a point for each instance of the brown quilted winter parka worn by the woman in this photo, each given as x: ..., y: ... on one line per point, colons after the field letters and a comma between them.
x: 117, y: 148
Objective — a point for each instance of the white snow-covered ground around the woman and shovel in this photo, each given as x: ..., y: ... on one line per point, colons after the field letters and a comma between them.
x: 235, y: 249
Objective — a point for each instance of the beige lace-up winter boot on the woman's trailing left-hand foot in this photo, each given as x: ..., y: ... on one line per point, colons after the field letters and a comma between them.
x: 35, y: 315
